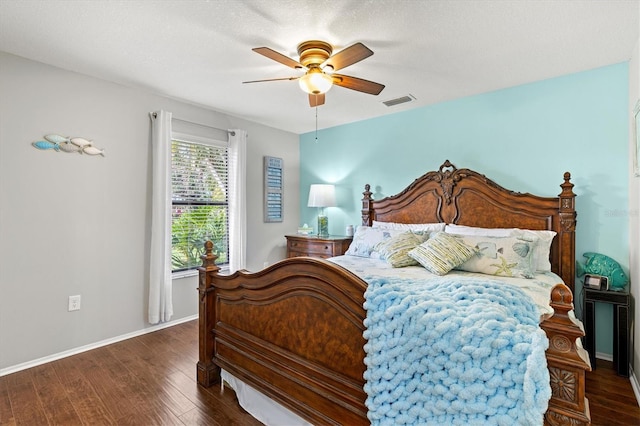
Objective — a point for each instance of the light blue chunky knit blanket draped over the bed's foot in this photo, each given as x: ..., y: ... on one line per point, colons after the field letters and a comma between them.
x: 454, y: 351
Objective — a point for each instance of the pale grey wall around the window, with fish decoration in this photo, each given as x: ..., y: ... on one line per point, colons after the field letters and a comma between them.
x: 74, y: 224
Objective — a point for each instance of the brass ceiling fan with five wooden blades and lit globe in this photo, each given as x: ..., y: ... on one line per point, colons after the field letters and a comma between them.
x: 320, y: 67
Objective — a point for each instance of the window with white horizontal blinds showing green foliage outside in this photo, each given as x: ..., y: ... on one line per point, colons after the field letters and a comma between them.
x: 200, y: 211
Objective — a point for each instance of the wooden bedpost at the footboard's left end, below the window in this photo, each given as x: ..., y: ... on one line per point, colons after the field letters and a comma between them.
x: 208, y: 373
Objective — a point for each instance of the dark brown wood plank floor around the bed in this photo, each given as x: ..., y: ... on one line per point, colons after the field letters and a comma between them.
x: 150, y: 380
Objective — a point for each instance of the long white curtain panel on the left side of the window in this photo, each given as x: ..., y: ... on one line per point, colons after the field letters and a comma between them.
x: 160, y: 303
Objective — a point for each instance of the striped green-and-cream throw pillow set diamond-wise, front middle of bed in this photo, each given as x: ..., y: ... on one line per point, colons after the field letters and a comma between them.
x: 441, y: 253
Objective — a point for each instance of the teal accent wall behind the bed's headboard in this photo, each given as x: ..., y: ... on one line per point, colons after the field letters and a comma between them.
x: 523, y: 137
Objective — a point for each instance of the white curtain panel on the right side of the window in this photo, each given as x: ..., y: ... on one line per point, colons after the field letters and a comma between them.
x: 237, y: 199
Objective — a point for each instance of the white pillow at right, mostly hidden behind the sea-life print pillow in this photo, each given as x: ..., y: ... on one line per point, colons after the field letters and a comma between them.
x: 542, y: 250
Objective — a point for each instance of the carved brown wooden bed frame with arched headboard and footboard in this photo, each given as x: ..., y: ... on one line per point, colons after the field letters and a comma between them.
x: 294, y: 330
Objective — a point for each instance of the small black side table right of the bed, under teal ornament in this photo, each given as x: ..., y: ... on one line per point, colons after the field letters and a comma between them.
x: 620, y: 301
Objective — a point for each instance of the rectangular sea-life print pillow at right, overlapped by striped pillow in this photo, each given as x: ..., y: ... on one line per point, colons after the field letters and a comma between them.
x: 503, y: 256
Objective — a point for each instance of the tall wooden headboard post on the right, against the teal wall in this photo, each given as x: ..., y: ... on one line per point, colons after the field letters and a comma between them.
x: 567, y: 235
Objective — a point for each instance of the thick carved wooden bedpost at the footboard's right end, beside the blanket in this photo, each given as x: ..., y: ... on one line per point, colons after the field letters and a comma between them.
x: 567, y: 363
